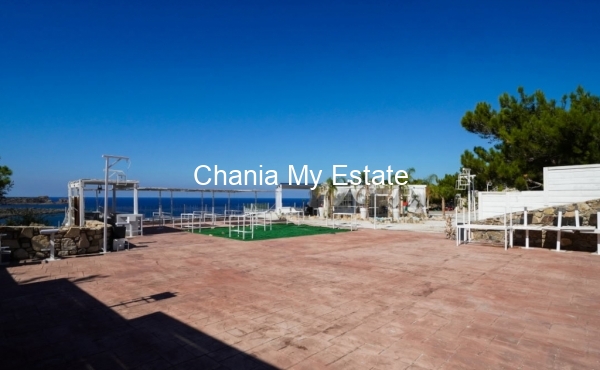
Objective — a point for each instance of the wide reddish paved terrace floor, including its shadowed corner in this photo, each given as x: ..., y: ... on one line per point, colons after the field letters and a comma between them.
x: 369, y: 299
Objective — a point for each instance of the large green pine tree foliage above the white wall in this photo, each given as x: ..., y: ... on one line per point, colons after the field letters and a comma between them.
x: 530, y: 132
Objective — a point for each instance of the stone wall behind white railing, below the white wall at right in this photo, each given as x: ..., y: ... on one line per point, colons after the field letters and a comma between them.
x: 546, y: 217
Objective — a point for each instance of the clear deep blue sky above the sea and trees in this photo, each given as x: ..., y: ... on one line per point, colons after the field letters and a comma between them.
x: 177, y: 84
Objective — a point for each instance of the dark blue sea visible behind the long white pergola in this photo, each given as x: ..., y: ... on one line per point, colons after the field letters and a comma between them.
x: 147, y: 205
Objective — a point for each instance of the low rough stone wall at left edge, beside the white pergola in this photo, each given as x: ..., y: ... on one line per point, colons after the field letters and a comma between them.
x: 26, y: 242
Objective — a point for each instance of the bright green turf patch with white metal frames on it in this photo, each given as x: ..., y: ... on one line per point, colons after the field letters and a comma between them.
x: 278, y: 231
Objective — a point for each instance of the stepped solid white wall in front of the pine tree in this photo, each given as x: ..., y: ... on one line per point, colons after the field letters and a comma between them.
x: 562, y: 185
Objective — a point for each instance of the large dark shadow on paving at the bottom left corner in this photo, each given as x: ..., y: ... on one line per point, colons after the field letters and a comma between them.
x: 56, y: 325
